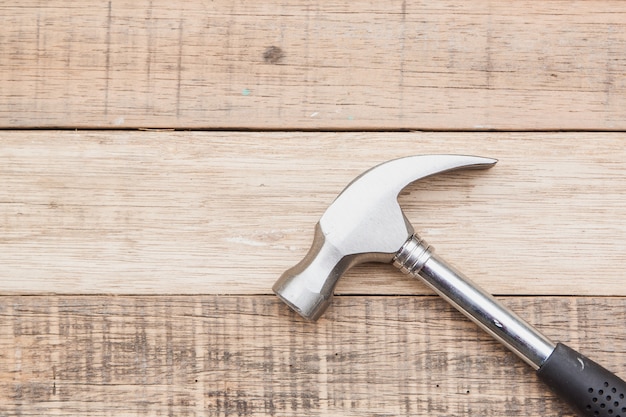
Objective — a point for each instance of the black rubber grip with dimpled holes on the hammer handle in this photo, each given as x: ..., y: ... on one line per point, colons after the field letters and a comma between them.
x: 590, y: 389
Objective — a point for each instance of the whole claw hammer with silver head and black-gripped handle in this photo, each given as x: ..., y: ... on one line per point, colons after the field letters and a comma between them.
x: 366, y: 224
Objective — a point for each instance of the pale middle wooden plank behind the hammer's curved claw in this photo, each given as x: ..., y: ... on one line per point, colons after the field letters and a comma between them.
x: 227, y: 212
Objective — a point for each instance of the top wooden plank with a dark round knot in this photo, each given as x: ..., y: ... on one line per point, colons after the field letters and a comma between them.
x: 337, y: 65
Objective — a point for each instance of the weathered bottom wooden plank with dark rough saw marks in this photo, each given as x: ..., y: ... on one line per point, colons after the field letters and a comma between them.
x: 250, y: 356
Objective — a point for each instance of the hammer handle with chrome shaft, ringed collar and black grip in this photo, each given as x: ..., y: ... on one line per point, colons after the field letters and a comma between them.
x: 589, y: 388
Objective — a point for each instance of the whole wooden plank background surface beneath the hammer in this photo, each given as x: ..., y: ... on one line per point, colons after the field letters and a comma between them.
x: 162, y: 162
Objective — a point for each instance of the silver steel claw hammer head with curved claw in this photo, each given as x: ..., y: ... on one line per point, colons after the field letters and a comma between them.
x: 365, y: 223
